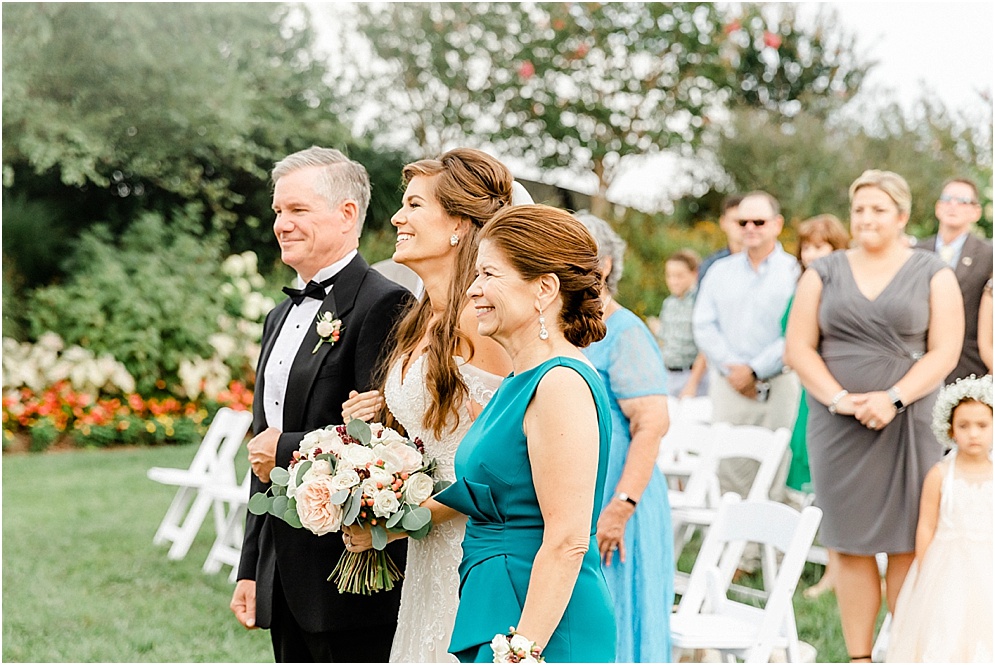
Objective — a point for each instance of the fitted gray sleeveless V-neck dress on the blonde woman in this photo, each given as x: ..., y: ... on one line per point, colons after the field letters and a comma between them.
x: 868, y: 482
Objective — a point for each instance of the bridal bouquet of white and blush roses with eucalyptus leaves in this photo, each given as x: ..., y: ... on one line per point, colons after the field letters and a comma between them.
x: 366, y: 475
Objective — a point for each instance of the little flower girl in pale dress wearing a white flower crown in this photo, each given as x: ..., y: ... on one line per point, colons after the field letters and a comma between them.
x: 944, y: 611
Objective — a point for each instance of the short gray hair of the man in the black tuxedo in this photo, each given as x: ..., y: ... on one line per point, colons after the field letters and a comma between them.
x: 341, y: 178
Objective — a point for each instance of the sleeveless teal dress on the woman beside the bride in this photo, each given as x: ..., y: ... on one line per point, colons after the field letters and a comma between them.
x: 494, y: 487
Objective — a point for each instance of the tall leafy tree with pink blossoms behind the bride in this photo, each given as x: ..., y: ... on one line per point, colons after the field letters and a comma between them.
x: 584, y: 85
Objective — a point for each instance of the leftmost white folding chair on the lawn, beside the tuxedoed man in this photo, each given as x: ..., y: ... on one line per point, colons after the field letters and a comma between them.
x: 213, y: 465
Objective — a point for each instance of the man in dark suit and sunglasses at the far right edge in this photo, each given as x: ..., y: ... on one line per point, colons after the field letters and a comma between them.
x: 957, y: 210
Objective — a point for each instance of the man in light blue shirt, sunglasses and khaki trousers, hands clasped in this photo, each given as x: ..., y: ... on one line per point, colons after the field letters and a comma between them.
x: 737, y: 324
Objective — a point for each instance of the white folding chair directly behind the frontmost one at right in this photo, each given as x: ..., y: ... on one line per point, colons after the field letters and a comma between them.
x: 760, y: 444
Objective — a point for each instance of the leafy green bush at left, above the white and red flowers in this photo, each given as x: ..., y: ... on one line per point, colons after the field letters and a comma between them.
x: 150, y: 298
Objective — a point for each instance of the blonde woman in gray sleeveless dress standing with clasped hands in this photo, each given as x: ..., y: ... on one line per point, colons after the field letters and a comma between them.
x: 873, y: 332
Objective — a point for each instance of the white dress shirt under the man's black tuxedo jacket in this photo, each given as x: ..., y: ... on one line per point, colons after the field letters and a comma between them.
x: 288, y: 342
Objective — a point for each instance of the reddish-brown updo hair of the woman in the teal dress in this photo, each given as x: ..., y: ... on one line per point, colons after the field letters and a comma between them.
x: 539, y: 240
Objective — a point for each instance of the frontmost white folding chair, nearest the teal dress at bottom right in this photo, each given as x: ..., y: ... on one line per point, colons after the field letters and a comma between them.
x: 708, y: 619
